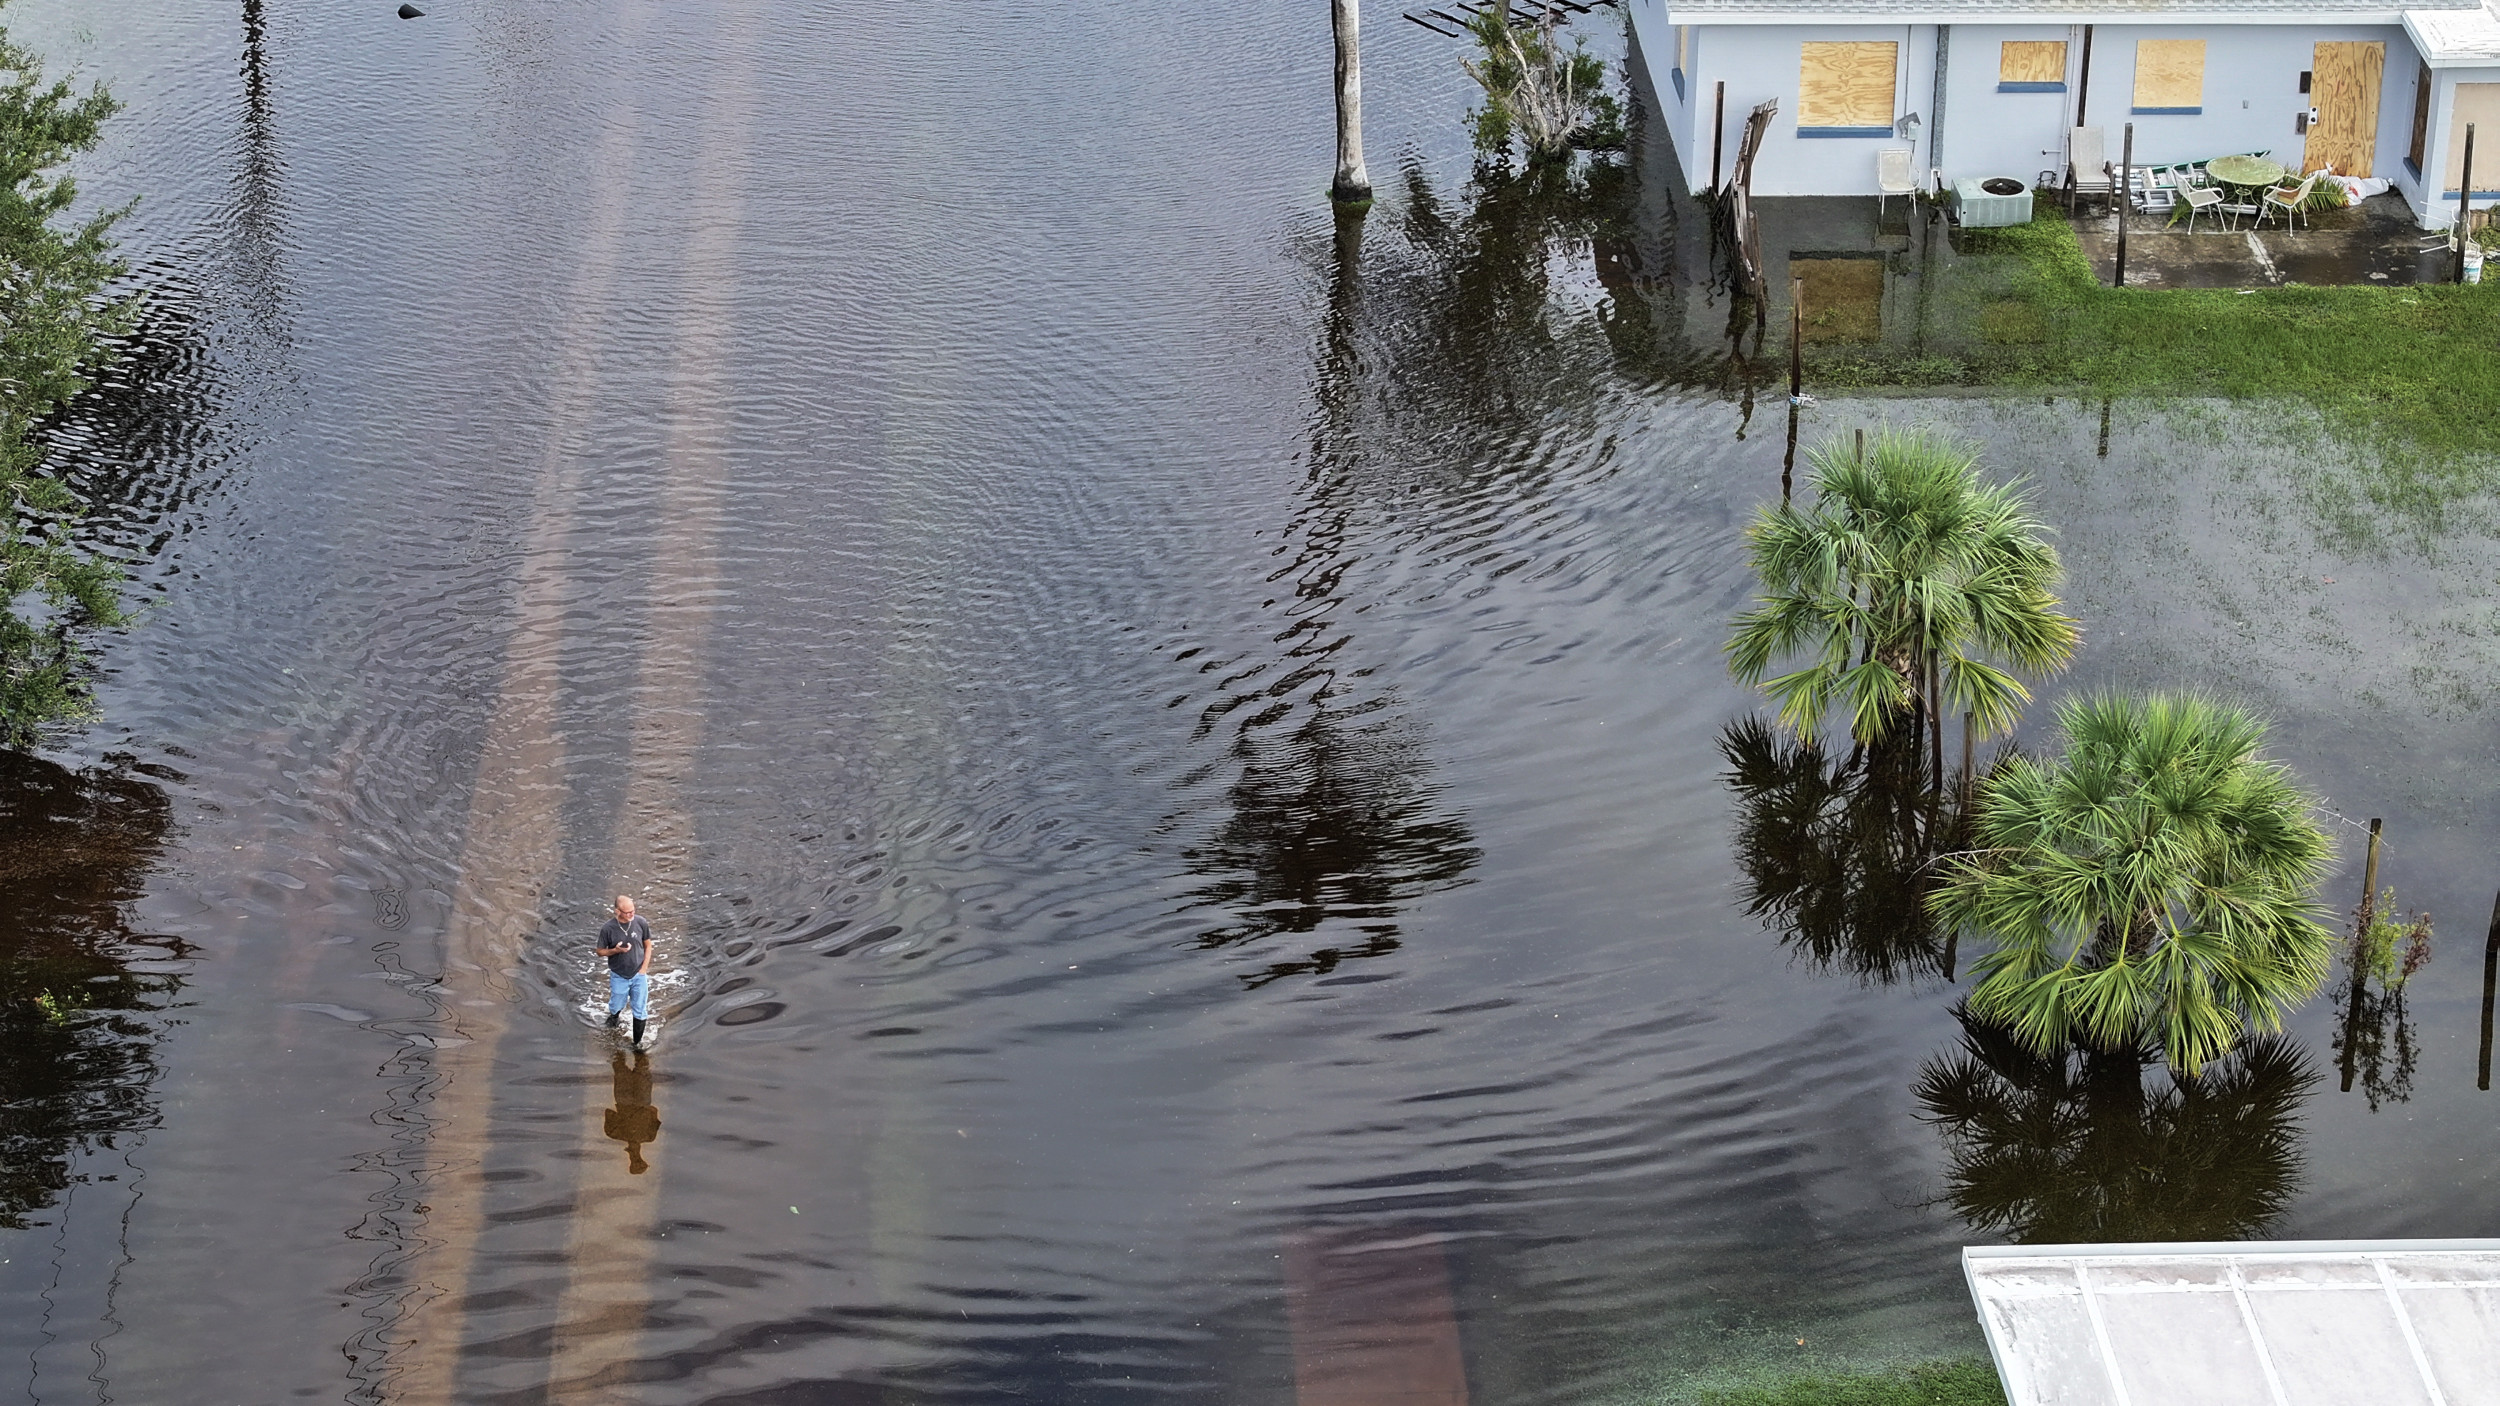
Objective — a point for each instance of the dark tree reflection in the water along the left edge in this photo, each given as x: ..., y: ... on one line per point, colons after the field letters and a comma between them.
x: 76, y: 1002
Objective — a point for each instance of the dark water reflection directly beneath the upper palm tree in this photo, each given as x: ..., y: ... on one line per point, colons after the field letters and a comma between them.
x: 1839, y: 854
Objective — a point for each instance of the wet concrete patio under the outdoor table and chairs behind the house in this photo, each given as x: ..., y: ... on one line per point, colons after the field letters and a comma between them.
x: 2374, y: 241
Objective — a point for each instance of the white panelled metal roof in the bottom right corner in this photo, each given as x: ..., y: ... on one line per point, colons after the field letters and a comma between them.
x: 2244, y: 1322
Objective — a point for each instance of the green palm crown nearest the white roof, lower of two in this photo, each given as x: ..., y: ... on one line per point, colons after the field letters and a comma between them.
x: 2156, y: 884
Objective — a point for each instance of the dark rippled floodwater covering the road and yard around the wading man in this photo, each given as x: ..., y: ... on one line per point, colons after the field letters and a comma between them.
x: 1174, y: 749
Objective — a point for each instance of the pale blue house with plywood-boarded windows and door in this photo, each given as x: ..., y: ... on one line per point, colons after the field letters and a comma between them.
x: 1994, y: 86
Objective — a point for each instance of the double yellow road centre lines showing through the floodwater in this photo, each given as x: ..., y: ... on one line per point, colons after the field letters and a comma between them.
x: 511, y: 867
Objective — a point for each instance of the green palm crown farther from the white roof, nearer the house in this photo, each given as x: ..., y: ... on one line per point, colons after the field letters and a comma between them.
x: 1911, y: 587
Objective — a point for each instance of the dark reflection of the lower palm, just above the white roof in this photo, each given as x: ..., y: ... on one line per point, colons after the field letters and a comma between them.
x: 2096, y: 1147
